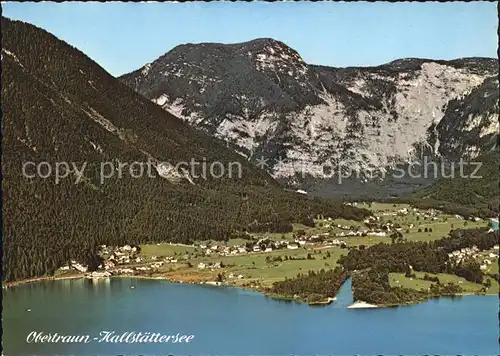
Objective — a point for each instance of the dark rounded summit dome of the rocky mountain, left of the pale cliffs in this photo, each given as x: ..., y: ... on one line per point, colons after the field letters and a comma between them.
x: 255, y: 74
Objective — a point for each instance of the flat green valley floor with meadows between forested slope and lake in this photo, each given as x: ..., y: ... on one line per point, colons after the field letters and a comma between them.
x: 320, y: 248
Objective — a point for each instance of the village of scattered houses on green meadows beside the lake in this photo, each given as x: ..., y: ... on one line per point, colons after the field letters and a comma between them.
x: 265, y: 258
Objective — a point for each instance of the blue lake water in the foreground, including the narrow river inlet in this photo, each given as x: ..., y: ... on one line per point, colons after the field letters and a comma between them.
x: 232, y: 321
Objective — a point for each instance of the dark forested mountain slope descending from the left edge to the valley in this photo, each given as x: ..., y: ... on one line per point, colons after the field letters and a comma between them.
x: 60, y: 106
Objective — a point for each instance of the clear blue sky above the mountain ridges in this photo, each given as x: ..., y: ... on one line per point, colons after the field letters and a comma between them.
x: 122, y: 37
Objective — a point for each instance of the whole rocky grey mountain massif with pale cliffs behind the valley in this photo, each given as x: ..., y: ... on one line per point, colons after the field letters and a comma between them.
x: 265, y: 101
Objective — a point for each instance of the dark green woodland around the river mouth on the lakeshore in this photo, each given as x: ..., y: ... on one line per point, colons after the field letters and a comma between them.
x: 370, y: 268
